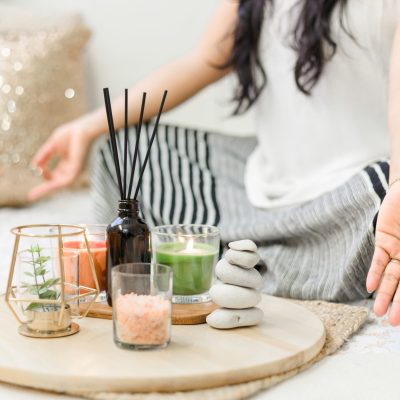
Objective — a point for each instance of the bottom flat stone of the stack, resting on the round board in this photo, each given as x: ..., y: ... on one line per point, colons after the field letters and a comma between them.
x: 224, y: 318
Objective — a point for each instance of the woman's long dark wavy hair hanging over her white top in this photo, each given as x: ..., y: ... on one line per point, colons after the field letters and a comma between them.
x: 312, y: 40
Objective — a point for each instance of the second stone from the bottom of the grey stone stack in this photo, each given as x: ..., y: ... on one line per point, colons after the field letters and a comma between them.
x: 230, y: 296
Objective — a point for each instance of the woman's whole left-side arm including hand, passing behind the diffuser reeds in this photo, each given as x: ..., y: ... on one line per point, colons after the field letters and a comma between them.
x: 183, y: 78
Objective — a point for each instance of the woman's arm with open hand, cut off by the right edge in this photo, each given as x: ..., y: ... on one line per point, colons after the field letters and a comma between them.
x: 384, y: 274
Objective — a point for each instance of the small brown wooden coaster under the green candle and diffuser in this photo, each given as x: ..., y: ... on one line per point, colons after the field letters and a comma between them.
x: 182, y: 314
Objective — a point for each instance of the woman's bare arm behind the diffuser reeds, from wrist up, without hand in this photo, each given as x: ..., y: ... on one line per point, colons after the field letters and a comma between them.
x: 183, y: 78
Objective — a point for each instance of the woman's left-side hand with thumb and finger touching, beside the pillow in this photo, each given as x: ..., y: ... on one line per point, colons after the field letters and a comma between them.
x: 68, y: 146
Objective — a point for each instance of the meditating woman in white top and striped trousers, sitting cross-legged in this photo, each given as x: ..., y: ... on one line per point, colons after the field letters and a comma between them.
x: 308, y: 191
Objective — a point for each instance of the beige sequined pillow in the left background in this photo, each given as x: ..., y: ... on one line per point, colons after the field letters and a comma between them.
x: 41, y: 87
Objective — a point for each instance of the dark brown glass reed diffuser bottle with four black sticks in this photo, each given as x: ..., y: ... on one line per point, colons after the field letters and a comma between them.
x: 128, y: 236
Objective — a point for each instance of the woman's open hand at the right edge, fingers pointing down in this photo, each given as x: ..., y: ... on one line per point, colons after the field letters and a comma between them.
x: 384, y: 274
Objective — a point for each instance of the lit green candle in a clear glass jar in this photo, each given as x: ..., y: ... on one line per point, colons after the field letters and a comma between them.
x: 192, y: 253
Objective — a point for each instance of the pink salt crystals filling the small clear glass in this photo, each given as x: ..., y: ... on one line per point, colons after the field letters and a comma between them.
x: 143, y: 319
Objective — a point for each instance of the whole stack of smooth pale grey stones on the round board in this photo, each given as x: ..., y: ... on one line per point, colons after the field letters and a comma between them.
x: 239, y: 293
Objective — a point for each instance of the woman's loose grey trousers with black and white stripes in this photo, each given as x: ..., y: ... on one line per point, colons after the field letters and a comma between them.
x: 321, y: 249
